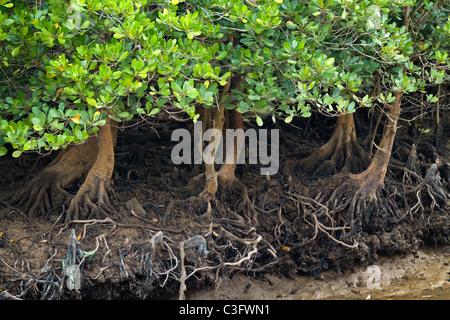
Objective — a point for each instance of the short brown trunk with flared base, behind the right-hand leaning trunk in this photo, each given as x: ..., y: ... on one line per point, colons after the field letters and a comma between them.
x: 341, y: 153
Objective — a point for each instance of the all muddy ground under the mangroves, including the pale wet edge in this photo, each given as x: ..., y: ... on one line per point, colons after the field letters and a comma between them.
x: 141, y: 250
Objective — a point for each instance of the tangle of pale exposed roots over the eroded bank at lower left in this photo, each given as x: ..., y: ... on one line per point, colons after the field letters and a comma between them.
x: 158, y: 261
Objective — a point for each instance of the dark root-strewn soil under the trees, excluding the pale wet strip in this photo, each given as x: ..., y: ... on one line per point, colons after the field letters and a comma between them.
x: 163, y: 241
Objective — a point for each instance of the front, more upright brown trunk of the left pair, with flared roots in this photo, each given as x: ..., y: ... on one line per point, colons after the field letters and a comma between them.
x: 93, y: 194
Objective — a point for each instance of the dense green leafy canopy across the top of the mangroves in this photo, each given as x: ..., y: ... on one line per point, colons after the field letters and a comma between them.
x: 67, y: 67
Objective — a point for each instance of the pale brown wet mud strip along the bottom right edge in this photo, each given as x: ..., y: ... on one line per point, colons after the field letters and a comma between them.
x: 421, y: 276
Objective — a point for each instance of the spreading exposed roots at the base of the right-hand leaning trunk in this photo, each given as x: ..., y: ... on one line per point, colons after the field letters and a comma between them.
x: 345, y: 208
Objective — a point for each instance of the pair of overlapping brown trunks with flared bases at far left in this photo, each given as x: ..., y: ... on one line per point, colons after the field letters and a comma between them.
x: 93, y: 160
